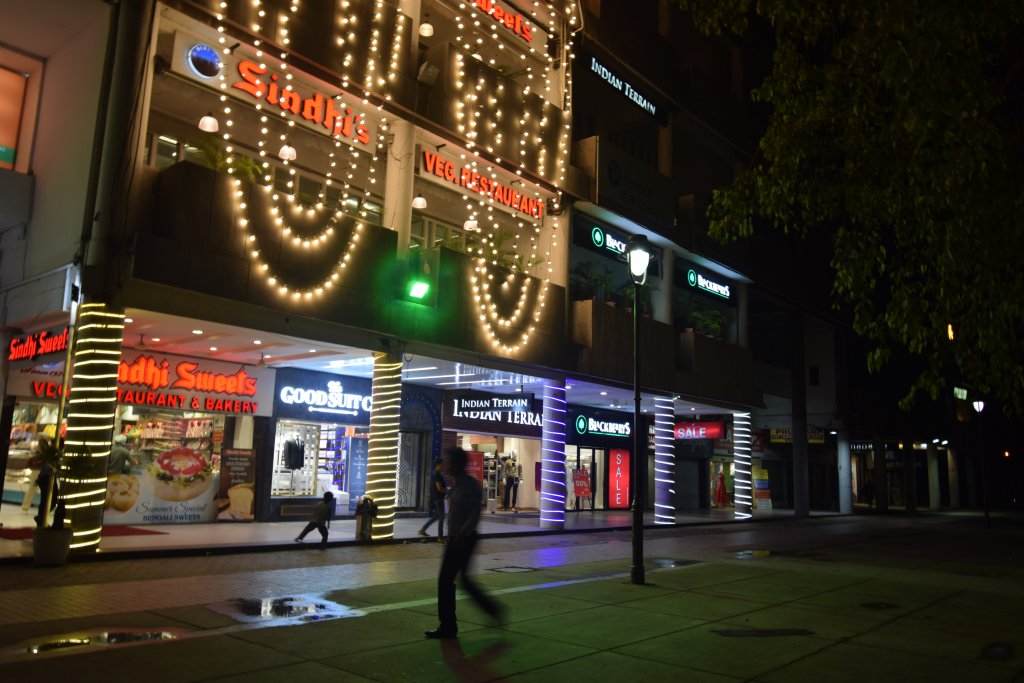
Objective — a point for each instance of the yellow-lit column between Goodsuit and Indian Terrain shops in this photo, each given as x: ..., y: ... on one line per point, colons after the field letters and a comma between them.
x: 382, y: 465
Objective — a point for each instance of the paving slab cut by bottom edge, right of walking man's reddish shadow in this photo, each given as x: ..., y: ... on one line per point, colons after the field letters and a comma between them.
x: 616, y: 667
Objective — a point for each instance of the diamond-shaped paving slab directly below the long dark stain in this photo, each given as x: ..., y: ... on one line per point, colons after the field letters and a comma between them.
x: 702, y: 650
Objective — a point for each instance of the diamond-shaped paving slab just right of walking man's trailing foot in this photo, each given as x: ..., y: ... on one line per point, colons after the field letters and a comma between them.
x: 604, y: 627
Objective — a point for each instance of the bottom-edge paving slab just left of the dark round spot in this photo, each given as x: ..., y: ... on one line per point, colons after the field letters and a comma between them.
x: 849, y: 663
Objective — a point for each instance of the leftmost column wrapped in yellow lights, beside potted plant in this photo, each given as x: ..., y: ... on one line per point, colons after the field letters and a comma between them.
x: 92, y: 405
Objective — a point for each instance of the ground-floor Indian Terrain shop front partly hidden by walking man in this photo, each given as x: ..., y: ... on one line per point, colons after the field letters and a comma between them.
x: 502, y: 436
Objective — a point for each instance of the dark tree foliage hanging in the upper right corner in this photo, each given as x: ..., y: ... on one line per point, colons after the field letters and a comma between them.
x: 897, y: 126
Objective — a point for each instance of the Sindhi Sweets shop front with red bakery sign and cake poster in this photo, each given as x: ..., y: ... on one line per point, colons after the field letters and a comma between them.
x: 187, y: 424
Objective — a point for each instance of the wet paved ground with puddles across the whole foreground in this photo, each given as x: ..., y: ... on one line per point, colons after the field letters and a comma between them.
x: 832, y: 600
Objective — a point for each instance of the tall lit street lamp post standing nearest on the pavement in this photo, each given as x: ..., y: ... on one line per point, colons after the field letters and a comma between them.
x: 638, y: 257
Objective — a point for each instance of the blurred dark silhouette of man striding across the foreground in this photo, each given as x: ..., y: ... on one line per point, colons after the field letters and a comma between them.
x: 466, y: 497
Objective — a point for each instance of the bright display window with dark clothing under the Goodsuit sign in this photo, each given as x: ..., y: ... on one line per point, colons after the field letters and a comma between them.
x: 311, y: 459
